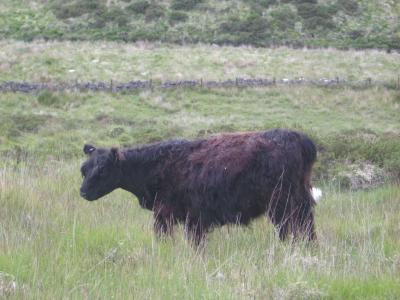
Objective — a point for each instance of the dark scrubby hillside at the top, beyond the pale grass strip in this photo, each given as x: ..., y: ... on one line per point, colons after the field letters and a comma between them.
x: 264, y: 23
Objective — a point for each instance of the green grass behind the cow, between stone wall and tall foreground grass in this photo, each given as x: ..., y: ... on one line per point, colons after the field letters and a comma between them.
x: 349, y: 126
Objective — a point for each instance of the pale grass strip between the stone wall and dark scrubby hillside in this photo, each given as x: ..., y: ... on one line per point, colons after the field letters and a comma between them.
x: 84, y: 61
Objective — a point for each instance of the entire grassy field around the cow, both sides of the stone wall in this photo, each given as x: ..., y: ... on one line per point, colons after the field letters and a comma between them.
x: 53, y: 244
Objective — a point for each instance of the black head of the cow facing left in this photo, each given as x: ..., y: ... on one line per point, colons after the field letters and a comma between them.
x: 101, y: 172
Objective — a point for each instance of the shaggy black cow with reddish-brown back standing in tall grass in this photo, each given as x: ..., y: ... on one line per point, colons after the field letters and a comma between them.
x: 229, y: 178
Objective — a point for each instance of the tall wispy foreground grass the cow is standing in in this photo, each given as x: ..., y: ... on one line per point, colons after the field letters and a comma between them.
x: 56, y: 245
